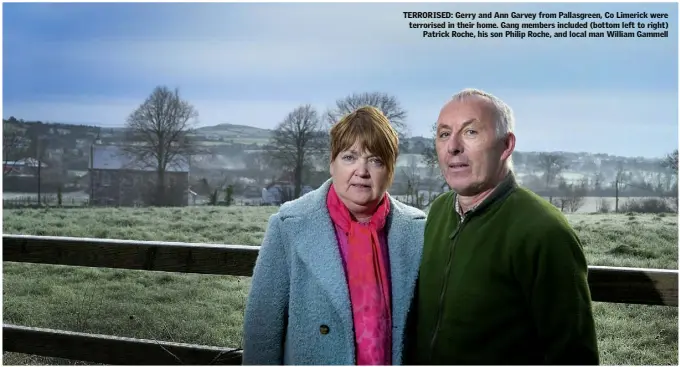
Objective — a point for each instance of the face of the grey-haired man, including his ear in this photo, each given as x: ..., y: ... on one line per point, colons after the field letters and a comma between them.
x: 470, y: 155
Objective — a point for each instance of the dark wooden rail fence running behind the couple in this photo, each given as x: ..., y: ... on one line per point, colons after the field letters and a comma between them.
x: 607, y: 284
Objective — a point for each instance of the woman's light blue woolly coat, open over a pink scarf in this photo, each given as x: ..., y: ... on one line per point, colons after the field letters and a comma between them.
x: 299, y: 285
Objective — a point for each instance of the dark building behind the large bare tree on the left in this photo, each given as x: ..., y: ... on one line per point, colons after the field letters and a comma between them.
x: 118, y: 178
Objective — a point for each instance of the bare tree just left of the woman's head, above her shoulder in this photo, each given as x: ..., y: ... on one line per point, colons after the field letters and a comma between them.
x: 295, y: 140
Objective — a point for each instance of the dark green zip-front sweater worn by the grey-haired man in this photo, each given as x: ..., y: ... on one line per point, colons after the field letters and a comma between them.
x: 506, y: 285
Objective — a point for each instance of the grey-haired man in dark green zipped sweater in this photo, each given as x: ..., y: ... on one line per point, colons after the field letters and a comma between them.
x: 503, y: 277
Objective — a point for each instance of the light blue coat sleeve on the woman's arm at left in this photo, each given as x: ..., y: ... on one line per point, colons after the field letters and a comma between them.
x: 264, y: 324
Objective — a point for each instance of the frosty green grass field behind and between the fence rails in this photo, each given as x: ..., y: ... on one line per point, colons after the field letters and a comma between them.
x: 207, y: 309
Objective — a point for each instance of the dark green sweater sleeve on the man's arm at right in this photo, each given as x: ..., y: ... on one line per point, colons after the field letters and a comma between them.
x: 553, y: 272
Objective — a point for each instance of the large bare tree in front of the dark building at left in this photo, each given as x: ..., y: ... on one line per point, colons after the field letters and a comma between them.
x: 158, y: 134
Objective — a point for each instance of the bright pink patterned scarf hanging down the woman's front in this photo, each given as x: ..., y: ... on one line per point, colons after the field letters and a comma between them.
x: 367, y: 280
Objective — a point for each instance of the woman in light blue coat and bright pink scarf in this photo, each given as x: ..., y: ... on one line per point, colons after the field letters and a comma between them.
x: 337, y: 267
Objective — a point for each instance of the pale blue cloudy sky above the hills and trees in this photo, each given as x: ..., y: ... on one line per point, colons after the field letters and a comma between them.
x: 253, y: 63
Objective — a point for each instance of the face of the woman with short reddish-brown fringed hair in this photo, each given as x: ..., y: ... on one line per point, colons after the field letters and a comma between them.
x: 360, y: 179
